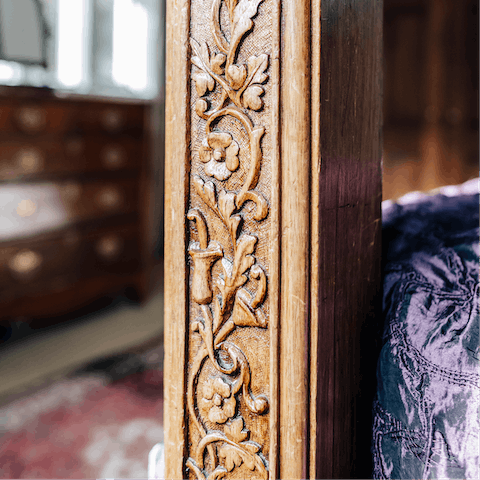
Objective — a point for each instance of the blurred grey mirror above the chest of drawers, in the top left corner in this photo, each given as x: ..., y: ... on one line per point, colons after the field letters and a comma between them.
x: 23, y: 32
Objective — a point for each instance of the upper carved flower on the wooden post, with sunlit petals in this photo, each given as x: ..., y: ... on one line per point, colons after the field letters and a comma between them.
x: 220, y: 153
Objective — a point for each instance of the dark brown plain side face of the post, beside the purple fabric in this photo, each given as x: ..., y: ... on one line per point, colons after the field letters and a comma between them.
x: 349, y: 233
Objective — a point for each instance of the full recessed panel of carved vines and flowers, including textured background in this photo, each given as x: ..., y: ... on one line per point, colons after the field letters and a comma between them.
x: 228, y: 376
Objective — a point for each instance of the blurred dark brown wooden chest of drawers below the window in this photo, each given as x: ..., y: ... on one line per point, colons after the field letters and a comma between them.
x: 73, y: 201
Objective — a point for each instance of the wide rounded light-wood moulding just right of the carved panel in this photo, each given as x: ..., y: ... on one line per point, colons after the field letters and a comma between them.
x: 295, y: 239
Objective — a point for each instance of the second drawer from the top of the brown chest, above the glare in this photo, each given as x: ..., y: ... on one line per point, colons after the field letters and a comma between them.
x: 71, y: 154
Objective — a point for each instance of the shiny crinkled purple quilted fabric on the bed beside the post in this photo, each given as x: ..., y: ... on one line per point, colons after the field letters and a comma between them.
x: 426, y: 415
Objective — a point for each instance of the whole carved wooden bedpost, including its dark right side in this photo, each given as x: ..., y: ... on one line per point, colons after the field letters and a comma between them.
x: 272, y: 253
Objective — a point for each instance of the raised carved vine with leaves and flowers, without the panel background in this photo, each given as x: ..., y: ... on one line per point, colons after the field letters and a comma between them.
x: 224, y: 301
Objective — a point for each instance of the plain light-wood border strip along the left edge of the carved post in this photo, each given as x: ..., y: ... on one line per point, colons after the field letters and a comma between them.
x: 177, y: 123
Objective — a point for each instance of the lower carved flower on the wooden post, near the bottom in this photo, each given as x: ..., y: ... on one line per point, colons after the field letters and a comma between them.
x: 218, y: 400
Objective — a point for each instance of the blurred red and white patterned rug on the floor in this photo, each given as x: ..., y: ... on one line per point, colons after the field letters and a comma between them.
x: 84, y: 427
